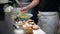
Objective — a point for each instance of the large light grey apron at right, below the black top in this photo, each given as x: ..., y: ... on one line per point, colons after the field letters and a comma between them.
x: 48, y: 21
